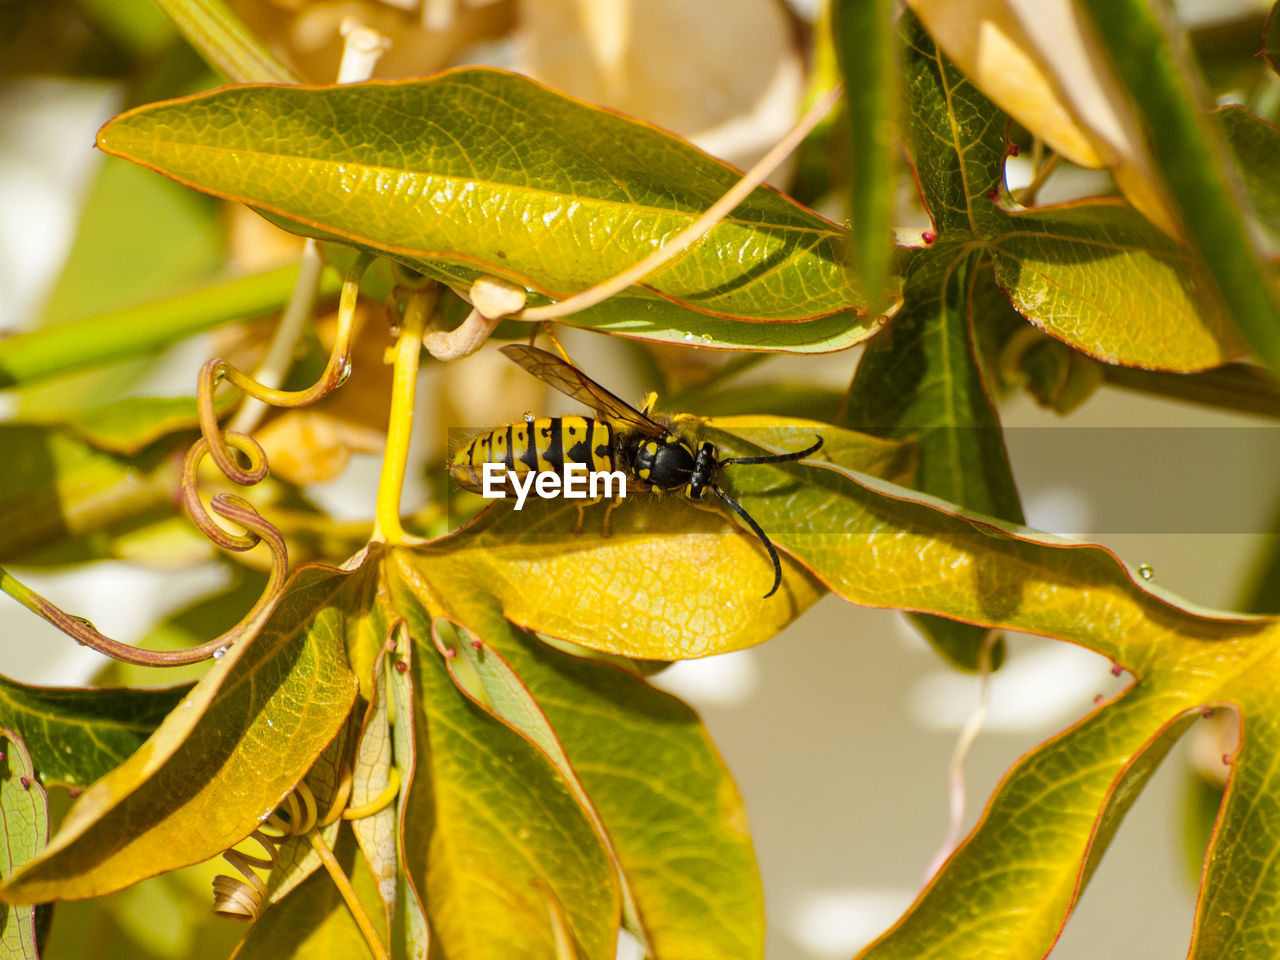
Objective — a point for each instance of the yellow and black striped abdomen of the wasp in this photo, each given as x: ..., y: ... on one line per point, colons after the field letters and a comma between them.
x: 543, y: 444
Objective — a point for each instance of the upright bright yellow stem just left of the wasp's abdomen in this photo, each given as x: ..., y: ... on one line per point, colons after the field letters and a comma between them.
x: 400, y: 428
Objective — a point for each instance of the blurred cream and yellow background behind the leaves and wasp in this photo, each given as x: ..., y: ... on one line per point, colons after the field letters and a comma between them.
x: 839, y: 732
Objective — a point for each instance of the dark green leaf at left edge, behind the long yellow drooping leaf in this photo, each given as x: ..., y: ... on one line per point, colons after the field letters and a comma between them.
x: 77, y: 737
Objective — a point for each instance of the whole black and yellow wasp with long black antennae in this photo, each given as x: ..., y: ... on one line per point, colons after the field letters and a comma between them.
x: 620, y: 440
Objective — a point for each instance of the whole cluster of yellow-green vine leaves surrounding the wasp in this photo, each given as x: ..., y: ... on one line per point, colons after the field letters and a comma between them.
x: 548, y: 794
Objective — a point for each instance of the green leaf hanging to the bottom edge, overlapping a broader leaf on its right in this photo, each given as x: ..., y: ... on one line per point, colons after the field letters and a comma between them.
x: 490, y: 820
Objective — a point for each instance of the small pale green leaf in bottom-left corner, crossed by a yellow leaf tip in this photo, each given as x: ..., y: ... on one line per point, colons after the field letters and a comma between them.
x: 25, y: 829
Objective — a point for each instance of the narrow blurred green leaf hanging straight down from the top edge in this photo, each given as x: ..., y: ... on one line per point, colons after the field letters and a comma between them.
x: 865, y: 38
